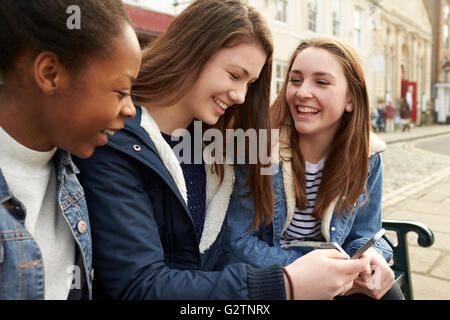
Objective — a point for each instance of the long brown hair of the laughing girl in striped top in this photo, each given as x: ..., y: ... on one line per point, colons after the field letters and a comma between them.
x: 345, y: 170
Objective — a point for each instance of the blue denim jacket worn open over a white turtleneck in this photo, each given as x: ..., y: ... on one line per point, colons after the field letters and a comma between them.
x: 21, y: 268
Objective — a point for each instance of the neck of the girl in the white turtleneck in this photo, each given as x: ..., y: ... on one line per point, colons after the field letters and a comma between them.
x: 20, y: 119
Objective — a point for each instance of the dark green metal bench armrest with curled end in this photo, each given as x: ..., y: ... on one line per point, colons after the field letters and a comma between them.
x: 401, y: 265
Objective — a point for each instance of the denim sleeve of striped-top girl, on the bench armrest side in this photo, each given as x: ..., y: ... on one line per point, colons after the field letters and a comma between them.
x: 368, y: 221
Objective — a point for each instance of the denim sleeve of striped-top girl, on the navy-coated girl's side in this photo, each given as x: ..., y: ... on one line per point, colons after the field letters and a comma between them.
x: 252, y: 246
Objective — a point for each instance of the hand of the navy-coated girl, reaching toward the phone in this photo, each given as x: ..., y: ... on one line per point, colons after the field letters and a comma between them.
x: 324, y: 274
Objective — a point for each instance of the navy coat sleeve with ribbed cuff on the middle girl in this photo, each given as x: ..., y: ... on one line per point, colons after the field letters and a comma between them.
x: 129, y: 259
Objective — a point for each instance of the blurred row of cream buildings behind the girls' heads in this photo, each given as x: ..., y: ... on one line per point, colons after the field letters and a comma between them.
x: 404, y: 44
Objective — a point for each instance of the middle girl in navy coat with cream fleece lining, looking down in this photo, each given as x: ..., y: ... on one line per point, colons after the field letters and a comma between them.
x: 157, y: 207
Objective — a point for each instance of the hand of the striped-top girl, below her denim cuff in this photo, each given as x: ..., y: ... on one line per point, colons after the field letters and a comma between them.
x: 378, y: 281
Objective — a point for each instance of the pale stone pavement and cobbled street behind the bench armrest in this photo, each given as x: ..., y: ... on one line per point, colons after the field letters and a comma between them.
x: 416, y: 186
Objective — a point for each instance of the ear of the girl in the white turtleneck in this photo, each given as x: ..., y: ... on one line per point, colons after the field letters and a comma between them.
x: 49, y: 73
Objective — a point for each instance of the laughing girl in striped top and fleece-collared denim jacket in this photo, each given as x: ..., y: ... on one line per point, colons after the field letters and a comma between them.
x: 329, y: 185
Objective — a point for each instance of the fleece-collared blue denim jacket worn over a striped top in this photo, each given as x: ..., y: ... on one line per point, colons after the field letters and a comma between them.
x: 261, y: 247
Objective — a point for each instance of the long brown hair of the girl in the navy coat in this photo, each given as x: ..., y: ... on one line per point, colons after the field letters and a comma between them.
x: 173, y: 62
